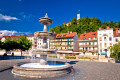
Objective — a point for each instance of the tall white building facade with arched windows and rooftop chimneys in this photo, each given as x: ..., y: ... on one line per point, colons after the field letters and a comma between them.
x: 105, y: 40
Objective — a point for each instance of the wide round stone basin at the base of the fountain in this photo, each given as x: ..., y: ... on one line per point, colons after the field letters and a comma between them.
x: 41, y: 72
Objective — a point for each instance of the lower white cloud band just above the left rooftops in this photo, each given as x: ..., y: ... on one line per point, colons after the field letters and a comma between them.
x: 9, y: 33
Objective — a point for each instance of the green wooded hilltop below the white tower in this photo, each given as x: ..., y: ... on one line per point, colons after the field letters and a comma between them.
x: 84, y: 24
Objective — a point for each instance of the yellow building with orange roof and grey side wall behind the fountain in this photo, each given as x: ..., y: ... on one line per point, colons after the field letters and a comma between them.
x: 65, y: 43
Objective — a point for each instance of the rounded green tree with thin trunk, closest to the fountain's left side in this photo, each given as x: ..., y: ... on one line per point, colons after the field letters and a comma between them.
x: 24, y: 44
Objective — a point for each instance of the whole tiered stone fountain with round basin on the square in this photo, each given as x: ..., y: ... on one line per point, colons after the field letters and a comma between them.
x: 43, y: 68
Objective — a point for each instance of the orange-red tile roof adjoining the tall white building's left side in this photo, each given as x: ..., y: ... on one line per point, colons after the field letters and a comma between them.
x: 88, y: 35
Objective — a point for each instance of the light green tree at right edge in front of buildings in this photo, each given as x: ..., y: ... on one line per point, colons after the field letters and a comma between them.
x: 115, y: 51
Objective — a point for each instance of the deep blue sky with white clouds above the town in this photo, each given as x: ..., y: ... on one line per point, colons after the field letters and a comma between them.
x: 22, y: 16
